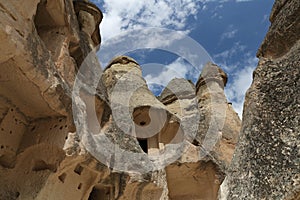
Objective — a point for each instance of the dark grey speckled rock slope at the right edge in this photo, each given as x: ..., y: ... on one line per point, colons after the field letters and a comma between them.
x: 266, y: 164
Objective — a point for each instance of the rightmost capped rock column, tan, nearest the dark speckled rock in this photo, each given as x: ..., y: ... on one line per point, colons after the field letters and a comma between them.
x: 219, y: 124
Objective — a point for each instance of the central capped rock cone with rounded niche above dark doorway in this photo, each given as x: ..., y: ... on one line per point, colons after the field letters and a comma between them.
x: 134, y: 108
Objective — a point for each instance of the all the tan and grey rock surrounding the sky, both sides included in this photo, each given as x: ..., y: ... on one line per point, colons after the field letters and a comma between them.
x: 111, y: 138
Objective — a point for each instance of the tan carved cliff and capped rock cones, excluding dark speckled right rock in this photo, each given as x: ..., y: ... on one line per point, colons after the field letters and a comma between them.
x: 43, y: 154
